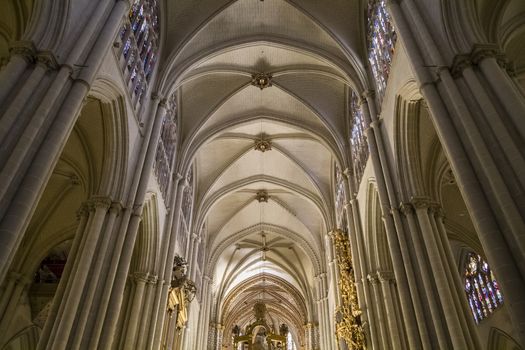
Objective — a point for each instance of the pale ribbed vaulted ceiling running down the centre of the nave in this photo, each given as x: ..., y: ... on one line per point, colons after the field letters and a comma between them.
x: 269, y: 248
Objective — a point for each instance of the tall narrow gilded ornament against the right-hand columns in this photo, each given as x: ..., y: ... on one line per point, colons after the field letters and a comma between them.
x: 348, y: 314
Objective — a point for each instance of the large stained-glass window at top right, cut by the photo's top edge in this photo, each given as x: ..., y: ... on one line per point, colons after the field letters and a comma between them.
x: 381, y: 43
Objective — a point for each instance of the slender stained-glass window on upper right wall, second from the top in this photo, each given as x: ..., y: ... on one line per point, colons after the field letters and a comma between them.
x: 359, y: 147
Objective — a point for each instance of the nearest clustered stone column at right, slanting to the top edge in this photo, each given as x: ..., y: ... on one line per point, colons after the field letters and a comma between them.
x: 478, y: 113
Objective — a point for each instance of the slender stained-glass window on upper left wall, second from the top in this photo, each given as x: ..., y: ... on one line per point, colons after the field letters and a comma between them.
x: 166, y: 147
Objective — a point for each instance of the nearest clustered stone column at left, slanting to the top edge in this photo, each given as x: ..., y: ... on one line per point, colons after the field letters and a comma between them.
x: 30, y: 164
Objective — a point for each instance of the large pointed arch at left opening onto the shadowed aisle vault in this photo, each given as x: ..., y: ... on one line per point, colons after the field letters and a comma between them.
x: 91, y: 164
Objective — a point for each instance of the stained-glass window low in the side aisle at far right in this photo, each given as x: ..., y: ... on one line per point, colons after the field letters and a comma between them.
x: 481, y: 287
